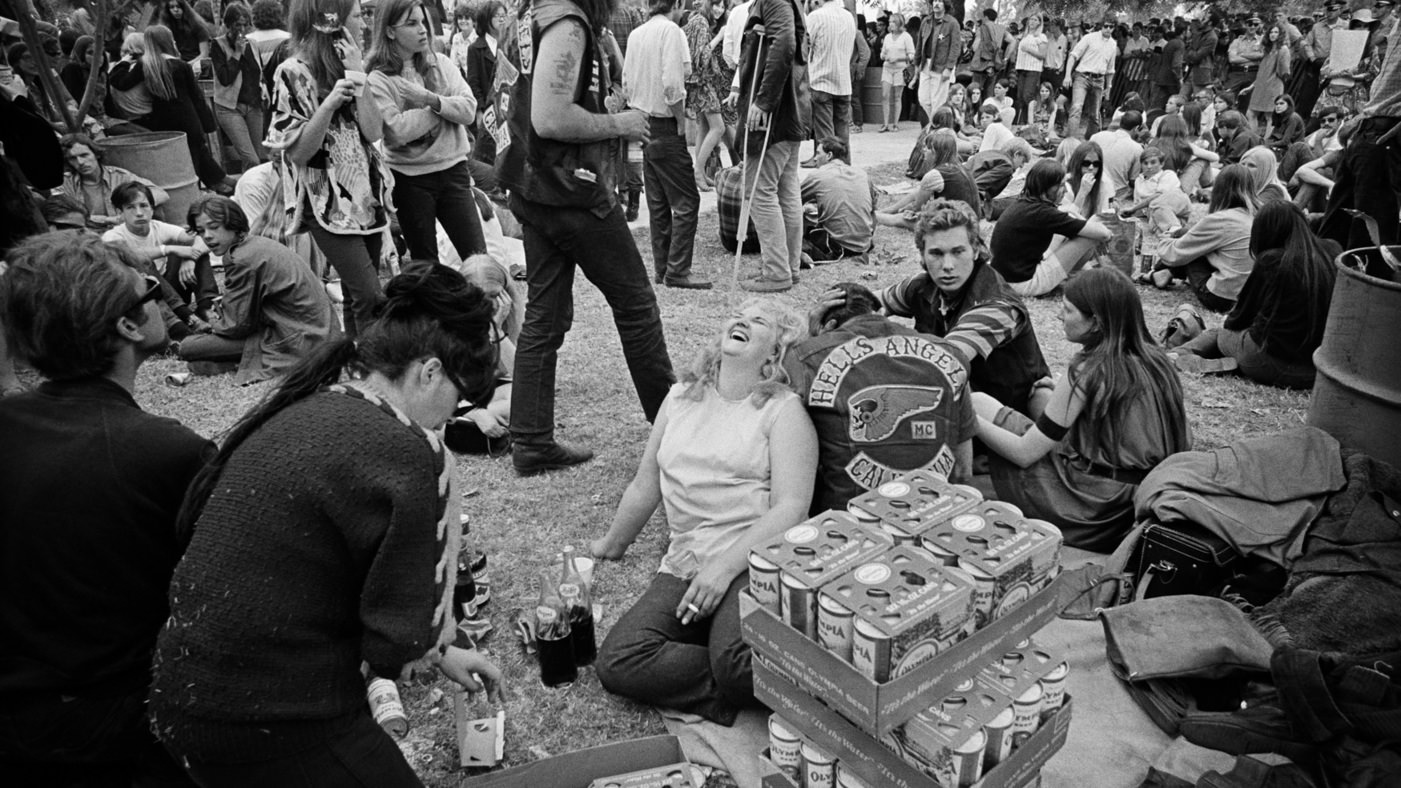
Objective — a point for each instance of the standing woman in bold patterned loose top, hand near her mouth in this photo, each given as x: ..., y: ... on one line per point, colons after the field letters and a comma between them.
x: 323, y: 133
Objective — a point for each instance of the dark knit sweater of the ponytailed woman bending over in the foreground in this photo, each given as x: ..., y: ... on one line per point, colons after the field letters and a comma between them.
x: 320, y: 548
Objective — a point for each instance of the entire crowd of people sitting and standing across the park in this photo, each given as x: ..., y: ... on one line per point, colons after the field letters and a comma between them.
x: 243, y: 592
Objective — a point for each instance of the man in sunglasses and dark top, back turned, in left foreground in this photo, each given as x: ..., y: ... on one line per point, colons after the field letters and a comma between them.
x: 90, y: 487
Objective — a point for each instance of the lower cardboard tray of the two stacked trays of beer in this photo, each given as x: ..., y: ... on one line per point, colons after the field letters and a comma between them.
x: 872, y: 761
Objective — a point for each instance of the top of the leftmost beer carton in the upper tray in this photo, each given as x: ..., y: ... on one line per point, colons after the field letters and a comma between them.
x: 823, y: 548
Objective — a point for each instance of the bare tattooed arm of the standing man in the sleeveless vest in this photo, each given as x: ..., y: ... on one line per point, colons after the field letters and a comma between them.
x: 554, y: 113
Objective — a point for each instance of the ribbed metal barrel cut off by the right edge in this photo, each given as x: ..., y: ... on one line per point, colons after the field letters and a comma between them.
x: 1357, y: 393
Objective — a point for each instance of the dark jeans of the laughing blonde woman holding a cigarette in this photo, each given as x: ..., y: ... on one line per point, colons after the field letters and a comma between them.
x: 700, y: 668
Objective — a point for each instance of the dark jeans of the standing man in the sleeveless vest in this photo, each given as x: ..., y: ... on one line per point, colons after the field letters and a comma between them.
x: 558, y: 240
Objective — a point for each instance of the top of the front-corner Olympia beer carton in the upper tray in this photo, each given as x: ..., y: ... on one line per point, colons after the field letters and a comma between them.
x: 902, y: 590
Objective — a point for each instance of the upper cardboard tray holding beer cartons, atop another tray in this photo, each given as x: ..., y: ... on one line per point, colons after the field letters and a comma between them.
x: 879, y: 709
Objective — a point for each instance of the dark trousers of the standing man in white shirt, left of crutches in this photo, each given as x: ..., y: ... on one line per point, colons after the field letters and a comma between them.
x: 673, y: 200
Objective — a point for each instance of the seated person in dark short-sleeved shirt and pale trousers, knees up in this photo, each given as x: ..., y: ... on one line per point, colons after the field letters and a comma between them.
x: 1036, y: 245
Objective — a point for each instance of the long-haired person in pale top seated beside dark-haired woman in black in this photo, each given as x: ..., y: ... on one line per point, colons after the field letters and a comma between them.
x: 1214, y: 256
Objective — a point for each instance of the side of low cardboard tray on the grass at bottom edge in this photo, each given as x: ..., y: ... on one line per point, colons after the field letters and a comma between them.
x: 582, y: 768
